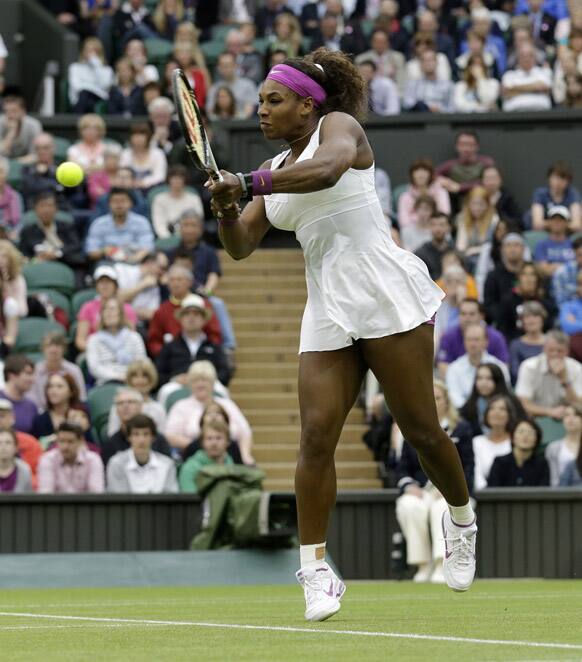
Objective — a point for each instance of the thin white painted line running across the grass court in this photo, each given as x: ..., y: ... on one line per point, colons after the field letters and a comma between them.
x: 277, y: 628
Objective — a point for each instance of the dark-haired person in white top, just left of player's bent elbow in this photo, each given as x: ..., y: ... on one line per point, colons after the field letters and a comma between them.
x: 168, y: 206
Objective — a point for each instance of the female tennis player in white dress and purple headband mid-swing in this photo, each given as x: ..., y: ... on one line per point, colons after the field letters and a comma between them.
x: 370, y: 304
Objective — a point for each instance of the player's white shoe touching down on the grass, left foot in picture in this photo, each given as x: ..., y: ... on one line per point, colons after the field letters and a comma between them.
x: 323, y: 591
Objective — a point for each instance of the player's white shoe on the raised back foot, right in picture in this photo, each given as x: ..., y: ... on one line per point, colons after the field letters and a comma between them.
x: 459, y: 560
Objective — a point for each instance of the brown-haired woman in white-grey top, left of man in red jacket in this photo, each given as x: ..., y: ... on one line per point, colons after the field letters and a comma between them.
x: 114, y: 346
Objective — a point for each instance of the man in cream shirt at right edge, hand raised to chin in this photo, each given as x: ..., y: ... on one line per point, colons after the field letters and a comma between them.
x: 550, y: 381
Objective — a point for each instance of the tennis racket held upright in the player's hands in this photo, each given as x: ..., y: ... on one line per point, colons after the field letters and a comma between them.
x: 197, y: 142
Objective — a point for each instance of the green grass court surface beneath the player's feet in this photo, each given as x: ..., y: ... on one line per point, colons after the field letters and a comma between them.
x: 528, y: 611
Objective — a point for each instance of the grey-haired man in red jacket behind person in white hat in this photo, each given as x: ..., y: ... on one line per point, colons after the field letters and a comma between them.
x: 164, y: 325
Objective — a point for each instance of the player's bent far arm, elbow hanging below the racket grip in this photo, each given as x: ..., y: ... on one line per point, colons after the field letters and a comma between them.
x: 242, y: 237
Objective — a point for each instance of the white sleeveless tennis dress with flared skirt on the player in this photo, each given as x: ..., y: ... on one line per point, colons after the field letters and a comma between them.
x: 360, y: 284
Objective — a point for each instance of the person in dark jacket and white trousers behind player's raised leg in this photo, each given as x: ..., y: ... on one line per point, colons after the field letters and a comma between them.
x: 420, y: 506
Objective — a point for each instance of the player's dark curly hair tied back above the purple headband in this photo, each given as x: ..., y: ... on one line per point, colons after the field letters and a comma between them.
x: 345, y: 88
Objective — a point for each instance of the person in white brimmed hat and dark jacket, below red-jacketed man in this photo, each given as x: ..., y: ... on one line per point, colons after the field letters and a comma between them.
x: 191, y: 345
